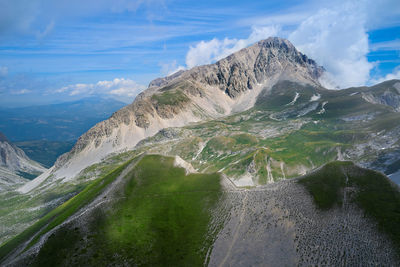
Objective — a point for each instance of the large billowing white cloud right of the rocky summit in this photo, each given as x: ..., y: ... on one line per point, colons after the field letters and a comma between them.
x: 337, y: 39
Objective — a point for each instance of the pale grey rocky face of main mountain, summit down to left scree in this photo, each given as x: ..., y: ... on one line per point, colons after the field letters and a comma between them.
x: 205, y: 92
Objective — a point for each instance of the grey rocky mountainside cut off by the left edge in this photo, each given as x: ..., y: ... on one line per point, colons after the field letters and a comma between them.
x: 15, y: 166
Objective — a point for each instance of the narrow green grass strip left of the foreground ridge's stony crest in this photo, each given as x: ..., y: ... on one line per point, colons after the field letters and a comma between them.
x: 58, y: 215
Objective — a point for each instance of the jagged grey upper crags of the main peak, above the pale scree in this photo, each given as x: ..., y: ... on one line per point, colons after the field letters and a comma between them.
x: 243, y: 70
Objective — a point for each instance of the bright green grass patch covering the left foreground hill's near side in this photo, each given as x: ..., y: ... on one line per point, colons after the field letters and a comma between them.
x: 162, y: 219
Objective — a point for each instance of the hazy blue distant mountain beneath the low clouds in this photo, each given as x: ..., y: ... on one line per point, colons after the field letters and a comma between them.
x: 57, y: 122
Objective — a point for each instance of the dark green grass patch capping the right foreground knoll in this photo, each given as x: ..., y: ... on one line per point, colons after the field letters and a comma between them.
x: 375, y: 194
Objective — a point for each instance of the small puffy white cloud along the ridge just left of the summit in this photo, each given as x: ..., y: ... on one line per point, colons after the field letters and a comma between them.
x: 206, y: 52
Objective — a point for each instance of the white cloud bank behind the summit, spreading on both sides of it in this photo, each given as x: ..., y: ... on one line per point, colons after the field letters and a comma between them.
x: 335, y: 37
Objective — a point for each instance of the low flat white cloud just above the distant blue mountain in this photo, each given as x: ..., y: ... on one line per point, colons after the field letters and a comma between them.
x: 119, y: 87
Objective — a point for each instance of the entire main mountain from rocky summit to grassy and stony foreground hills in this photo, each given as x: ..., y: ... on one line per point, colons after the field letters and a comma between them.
x: 248, y: 161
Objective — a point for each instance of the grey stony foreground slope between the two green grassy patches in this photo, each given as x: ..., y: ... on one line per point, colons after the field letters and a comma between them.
x: 279, y: 225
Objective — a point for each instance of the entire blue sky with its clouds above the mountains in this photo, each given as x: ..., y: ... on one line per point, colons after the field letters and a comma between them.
x: 59, y: 50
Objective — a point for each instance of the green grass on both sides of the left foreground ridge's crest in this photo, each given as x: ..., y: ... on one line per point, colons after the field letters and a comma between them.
x: 162, y: 217
